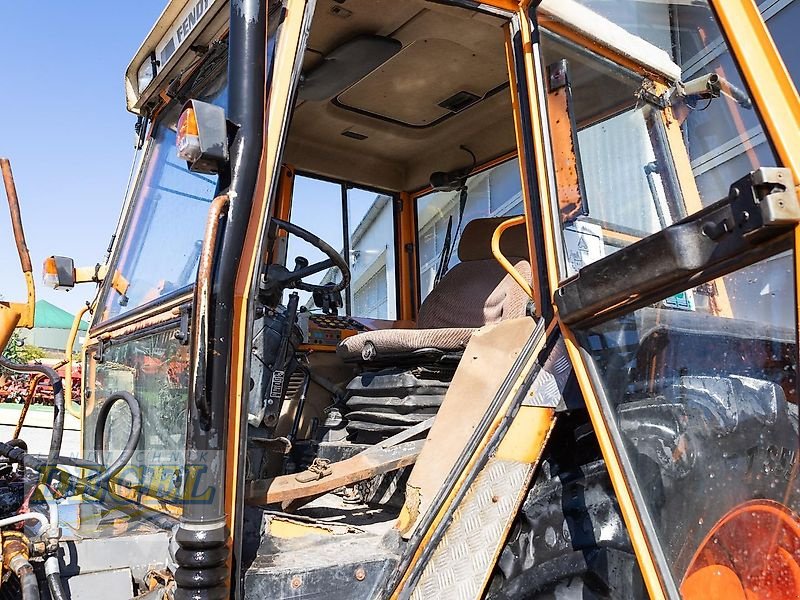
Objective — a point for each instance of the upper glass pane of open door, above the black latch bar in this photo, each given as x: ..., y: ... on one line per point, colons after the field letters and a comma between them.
x: 645, y: 164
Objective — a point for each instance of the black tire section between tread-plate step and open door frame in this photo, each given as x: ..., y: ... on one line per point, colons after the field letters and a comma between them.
x: 570, y: 542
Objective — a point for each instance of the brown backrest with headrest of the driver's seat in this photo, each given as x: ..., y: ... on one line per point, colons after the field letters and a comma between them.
x: 478, y: 291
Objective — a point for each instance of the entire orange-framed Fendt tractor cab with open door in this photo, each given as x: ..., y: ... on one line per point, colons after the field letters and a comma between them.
x: 449, y: 299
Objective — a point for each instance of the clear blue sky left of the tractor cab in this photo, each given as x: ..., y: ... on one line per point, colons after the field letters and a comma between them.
x: 64, y: 125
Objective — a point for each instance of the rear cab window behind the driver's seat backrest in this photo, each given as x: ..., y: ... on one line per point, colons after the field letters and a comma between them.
x: 494, y: 192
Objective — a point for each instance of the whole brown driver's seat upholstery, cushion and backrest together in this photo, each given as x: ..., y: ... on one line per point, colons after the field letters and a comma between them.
x: 474, y: 293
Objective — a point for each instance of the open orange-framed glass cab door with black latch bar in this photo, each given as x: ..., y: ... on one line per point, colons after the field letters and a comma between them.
x: 667, y: 153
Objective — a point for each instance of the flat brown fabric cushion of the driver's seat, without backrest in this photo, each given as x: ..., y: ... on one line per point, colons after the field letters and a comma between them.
x: 389, y: 342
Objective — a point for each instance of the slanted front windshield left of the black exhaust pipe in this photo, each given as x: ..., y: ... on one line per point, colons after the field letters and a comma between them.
x: 159, y: 252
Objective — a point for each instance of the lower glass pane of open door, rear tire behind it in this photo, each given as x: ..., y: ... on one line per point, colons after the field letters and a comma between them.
x: 703, y: 389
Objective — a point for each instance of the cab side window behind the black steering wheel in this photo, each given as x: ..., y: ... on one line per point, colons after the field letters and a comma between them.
x: 360, y: 223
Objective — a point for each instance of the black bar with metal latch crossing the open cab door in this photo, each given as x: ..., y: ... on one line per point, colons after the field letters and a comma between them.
x: 759, y: 211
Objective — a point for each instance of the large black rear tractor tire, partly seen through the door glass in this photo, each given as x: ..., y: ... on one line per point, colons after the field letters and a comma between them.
x: 705, y: 446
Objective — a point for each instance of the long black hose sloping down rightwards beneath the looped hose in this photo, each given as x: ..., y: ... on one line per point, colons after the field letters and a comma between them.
x: 88, y: 487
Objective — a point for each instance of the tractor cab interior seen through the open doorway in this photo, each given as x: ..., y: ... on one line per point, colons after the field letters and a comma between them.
x: 401, y: 153
